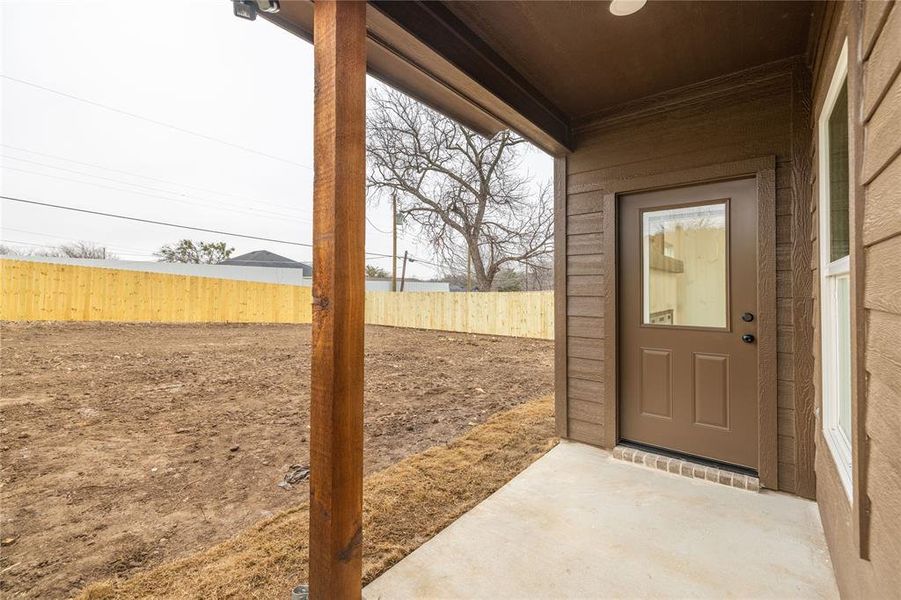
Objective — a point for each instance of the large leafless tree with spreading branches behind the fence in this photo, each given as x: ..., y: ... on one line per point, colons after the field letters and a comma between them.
x: 463, y: 193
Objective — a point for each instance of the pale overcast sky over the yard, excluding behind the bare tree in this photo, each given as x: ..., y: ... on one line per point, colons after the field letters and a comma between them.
x: 170, y: 111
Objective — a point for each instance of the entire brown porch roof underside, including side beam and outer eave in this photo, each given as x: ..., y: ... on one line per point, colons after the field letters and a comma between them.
x: 543, y: 68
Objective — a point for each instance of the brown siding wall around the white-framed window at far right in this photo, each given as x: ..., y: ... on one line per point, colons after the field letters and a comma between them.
x: 865, y: 540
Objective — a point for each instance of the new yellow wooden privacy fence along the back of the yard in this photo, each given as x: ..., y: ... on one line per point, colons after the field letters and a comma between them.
x: 39, y: 291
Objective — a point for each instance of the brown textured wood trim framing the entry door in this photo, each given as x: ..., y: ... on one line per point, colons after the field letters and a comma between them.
x: 763, y: 169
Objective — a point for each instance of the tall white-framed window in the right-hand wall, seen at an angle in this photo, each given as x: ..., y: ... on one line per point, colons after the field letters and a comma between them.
x: 835, y: 269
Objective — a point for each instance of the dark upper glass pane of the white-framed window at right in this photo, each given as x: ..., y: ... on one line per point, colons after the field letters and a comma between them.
x: 838, y: 177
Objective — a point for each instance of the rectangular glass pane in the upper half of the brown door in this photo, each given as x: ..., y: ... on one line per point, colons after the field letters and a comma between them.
x: 684, y: 266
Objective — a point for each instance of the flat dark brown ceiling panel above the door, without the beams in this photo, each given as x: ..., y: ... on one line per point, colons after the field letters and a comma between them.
x: 586, y: 60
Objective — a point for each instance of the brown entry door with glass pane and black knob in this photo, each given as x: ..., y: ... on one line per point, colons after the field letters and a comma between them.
x: 688, y: 310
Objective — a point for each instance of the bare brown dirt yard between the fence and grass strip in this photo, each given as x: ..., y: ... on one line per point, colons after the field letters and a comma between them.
x: 126, y: 445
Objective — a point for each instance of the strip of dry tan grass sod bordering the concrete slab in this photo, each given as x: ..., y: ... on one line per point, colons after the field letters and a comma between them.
x: 404, y: 506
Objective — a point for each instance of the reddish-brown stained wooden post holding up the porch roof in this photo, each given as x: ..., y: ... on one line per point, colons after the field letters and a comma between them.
x: 336, y: 399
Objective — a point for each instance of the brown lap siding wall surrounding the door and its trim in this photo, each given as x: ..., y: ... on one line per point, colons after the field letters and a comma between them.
x: 745, y: 117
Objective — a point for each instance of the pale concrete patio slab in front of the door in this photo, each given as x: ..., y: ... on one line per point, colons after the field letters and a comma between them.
x: 579, y: 524
